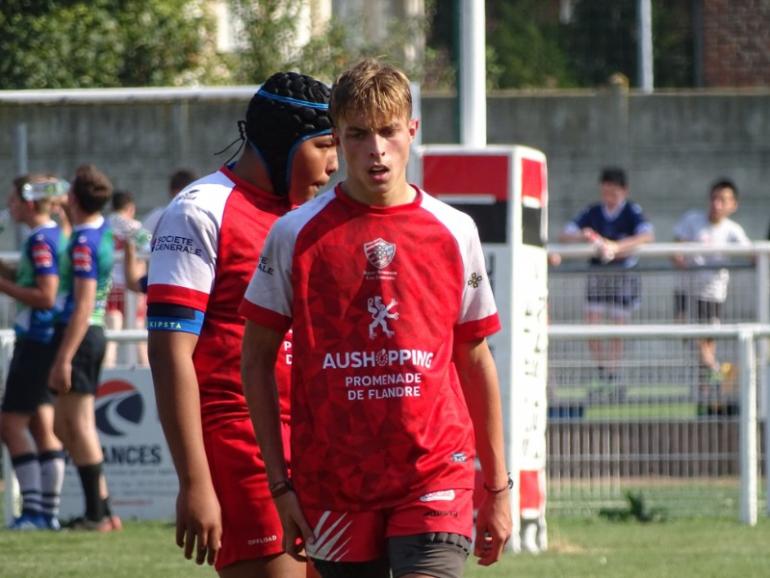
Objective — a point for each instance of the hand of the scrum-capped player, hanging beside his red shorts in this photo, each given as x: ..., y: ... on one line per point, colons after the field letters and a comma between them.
x: 199, y: 523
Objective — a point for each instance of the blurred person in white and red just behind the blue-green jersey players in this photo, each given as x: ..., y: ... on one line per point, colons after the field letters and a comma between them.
x: 124, y: 227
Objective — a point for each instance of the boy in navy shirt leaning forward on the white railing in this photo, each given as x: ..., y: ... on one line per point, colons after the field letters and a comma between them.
x: 615, y: 226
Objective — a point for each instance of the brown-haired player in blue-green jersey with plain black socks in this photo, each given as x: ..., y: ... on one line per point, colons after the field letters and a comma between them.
x: 79, y: 335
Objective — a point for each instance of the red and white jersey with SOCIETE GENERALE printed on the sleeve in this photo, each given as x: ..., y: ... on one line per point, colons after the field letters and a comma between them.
x: 204, y: 252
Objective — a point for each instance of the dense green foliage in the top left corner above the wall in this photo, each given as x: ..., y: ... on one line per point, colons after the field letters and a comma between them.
x: 100, y: 43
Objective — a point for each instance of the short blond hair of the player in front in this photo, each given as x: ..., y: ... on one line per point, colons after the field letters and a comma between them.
x: 373, y: 89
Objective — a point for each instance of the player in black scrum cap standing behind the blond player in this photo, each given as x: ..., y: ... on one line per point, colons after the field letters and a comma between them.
x: 205, y: 248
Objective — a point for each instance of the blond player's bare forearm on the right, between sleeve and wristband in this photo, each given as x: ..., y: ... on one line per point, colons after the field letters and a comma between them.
x: 478, y: 377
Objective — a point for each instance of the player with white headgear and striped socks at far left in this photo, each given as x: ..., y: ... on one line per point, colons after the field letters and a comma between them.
x: 27, y: 414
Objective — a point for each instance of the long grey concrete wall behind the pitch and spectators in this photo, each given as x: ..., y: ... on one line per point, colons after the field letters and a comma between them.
x: 673, y: 144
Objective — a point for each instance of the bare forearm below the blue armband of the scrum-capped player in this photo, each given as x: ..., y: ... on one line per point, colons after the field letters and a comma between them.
x: 178, y: 400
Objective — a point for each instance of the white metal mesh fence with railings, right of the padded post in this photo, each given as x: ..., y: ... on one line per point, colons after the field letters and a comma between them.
x: 657, y: 424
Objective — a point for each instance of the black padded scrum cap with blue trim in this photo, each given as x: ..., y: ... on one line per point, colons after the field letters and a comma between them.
x: 288, y: 109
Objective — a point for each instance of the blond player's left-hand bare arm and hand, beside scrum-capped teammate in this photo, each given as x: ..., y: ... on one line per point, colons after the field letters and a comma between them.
x: 260, y: 348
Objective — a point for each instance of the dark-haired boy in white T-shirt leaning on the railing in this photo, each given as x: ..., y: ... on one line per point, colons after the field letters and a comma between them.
x: 705, y: 289
